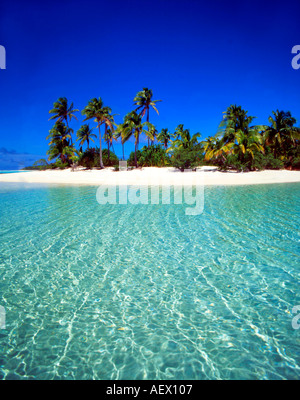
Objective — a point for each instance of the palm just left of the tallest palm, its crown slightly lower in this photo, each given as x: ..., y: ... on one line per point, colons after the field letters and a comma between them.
x: 133, y: 126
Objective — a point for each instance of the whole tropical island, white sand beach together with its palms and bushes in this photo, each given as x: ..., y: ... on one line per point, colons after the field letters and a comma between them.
x: 240, y: 153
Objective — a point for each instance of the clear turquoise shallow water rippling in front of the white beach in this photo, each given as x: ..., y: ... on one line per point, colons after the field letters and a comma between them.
x: 147, y: 292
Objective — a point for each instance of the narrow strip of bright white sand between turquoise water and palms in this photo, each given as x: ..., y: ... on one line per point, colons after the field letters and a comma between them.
x: 152, y: 176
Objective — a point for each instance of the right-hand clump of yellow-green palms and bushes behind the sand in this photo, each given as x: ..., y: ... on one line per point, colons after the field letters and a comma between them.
x: 246, y: 147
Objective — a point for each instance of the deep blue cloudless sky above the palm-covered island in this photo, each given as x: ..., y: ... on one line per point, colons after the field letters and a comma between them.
x: 197, y: 56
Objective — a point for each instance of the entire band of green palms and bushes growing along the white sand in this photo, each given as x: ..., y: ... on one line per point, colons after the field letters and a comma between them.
x: 238, y: 144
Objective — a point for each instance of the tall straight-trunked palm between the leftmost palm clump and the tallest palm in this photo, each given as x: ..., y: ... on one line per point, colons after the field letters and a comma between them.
x: 95, y: 109
